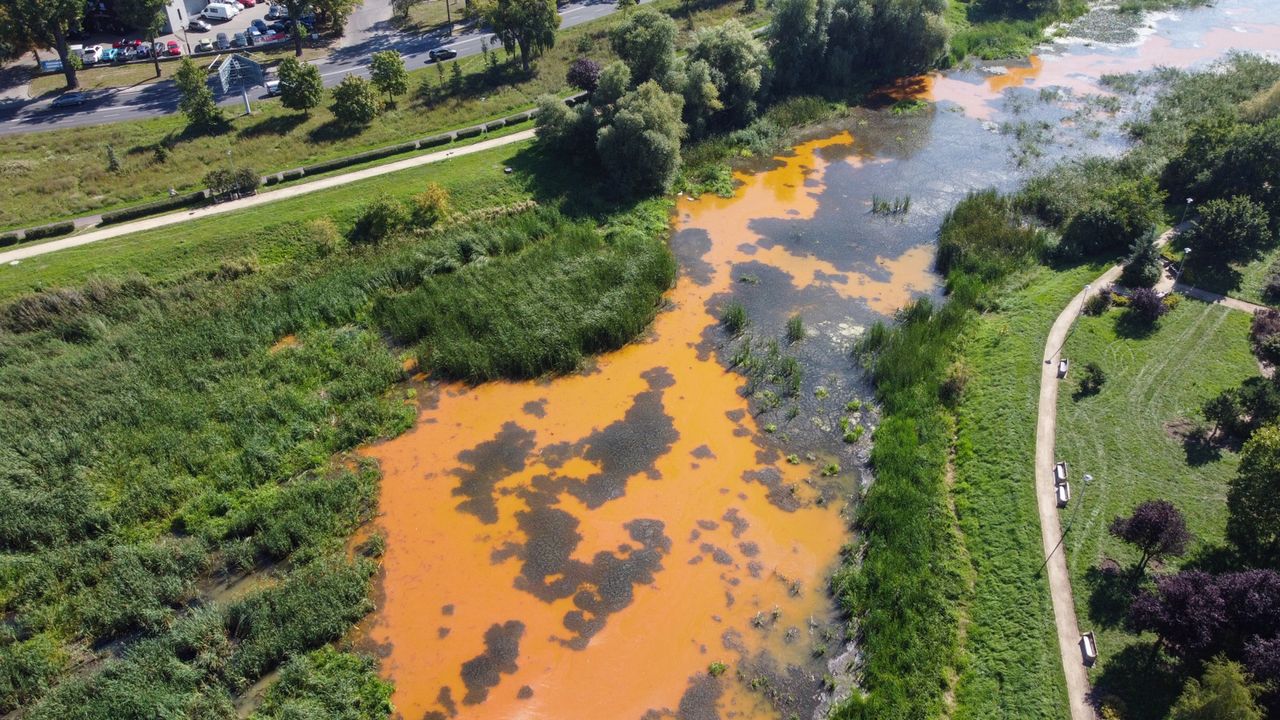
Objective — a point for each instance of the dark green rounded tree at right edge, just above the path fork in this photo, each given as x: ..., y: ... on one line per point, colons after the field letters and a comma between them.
x: 1229, y: 231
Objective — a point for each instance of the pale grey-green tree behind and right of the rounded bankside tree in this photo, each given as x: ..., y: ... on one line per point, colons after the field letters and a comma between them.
x: 737, y: 62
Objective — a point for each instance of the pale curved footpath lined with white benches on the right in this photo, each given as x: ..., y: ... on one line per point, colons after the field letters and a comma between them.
x: 1046, y: 502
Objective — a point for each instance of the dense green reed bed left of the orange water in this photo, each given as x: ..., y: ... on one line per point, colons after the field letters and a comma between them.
x: 161, y: 432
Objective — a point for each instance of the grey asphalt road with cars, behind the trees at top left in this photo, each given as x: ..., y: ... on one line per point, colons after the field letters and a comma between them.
x: 158, y: 99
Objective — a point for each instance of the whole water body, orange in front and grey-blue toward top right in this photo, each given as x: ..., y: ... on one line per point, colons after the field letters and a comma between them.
x: 595, y: 546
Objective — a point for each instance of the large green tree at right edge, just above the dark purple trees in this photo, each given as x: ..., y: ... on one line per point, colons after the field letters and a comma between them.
x: 1254, y: 502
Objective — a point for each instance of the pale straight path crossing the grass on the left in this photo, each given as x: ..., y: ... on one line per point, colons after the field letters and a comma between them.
x: 260, y: 199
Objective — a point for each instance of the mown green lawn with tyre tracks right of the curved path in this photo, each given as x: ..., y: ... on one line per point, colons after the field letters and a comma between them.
x: 1123, y: 438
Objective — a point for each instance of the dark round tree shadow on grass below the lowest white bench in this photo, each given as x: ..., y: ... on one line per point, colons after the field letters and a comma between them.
x: 1140, y: 683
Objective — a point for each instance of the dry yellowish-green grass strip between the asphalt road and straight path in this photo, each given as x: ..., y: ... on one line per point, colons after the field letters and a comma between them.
x: 65, y: 174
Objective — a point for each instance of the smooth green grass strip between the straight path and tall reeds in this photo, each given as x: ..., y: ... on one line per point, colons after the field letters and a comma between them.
x: 271, y: 234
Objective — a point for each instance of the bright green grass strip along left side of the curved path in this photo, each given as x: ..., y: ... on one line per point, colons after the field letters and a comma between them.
x: 1014, y: 669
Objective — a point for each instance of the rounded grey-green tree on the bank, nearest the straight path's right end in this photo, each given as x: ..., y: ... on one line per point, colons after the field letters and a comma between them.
x: 641, y: 148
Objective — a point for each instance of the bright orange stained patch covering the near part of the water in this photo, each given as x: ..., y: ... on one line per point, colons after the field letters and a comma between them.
x: 734, y: 553
